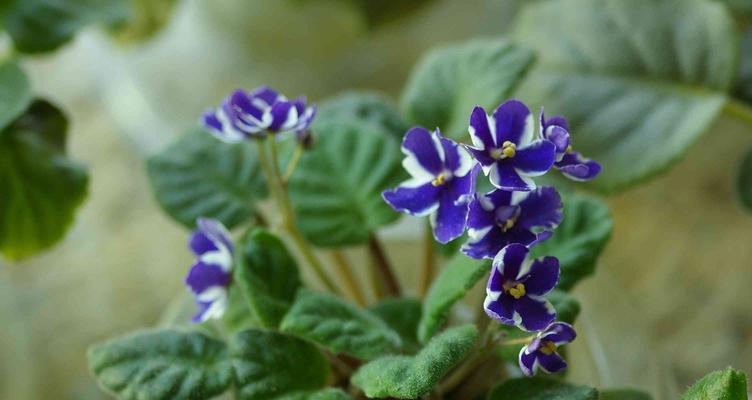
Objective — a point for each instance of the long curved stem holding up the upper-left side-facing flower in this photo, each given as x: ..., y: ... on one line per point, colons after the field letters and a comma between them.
x: 282, y: 201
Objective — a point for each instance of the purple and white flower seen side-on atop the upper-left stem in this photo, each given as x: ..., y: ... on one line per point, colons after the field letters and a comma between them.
x: 252, y: 114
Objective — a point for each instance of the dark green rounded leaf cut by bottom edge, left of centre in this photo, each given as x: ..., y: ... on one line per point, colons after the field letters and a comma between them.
x: 269, y: 365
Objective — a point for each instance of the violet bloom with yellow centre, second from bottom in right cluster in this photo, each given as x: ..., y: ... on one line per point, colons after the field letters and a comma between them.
x: 514, y: 295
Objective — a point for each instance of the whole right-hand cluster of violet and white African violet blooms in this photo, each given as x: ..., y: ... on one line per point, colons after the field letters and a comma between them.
x: 506, y: 222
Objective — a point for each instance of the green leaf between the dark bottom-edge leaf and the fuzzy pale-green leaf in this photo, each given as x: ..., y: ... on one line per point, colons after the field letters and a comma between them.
x: 339, y: 326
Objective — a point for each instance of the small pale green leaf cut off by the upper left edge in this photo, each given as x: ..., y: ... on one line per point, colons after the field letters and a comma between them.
x: 15, y: 97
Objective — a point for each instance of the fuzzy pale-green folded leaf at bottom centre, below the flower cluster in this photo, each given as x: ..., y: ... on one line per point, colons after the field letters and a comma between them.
x: 406, y: 377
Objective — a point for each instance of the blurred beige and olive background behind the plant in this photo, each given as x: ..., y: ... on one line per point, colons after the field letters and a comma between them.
x: 670, y: 300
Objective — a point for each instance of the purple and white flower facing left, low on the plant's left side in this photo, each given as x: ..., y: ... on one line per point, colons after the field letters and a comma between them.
x: 211, y: 274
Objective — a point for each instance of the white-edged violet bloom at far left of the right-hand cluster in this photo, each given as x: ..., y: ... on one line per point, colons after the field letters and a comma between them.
x: 443, y: 180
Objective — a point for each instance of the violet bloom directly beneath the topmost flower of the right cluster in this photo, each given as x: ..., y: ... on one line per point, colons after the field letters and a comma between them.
x: 499, y: 217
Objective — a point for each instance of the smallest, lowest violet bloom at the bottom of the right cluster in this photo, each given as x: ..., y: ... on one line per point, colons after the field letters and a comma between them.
x: 541, y: 353
